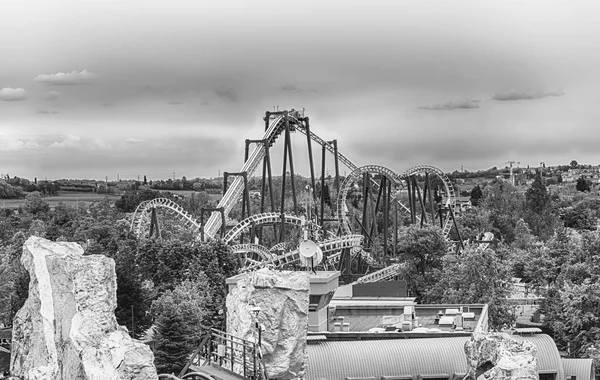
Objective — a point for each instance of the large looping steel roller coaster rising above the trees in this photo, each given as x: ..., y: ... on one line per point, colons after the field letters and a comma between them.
x: 422, y: 195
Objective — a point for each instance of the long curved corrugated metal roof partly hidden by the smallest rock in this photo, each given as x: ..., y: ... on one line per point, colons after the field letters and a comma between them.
x: 336, y: 360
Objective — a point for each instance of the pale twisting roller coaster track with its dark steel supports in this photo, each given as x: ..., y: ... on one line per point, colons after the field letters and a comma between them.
x: 414, y: 183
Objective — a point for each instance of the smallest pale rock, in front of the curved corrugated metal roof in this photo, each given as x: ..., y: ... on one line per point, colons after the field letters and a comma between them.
x: 498, y: 356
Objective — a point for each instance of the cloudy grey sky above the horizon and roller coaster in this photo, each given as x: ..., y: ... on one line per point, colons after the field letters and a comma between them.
x: 95, y: 89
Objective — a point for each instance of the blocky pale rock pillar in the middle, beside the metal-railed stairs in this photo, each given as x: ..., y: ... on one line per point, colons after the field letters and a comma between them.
x: 283, y: 297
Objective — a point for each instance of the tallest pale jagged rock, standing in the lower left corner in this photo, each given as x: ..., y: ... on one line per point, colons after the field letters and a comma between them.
x: 67, y: 327
